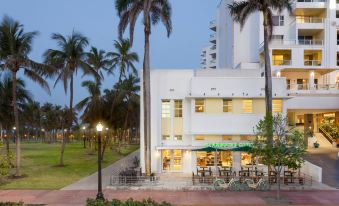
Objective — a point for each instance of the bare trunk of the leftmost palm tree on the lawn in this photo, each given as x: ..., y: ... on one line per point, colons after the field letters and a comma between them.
x: 17, y: 133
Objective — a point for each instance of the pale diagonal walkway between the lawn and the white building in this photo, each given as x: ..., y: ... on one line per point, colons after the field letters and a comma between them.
x: 91, y: 182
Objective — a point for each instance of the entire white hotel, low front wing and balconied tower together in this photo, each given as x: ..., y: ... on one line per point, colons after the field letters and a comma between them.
x: 223, y: 102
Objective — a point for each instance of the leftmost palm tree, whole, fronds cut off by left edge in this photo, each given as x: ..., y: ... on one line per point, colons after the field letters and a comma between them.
x: 15, y: 46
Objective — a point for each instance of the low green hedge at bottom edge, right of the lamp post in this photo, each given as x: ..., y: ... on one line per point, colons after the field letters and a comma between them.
x: 129, y: 202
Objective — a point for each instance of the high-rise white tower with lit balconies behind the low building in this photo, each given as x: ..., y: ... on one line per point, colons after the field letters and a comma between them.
x: 304, y: 50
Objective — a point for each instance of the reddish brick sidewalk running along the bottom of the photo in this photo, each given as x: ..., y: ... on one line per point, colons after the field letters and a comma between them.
x: 78, y: 197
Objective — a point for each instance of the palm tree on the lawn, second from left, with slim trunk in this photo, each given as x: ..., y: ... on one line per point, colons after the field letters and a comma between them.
x: 68, y: 60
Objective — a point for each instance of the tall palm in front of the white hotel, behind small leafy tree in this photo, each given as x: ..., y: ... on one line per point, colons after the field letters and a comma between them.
x: 240, y: 11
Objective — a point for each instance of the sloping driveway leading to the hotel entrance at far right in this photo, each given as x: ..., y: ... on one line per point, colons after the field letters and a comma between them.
x: 326, y: 156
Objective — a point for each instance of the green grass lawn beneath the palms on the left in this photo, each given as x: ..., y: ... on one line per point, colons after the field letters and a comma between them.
x: 39, y: 162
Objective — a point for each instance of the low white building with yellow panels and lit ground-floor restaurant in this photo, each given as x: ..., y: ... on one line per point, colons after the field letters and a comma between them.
x: 193, y: 109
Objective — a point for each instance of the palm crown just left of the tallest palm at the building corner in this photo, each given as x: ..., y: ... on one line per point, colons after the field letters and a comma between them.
x: 123, y: 59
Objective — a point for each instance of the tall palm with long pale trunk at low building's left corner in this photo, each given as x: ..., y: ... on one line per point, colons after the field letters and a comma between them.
x: 153, y: 12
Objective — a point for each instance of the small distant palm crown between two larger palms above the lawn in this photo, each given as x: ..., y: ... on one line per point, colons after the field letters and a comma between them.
x: 98, y: 60
